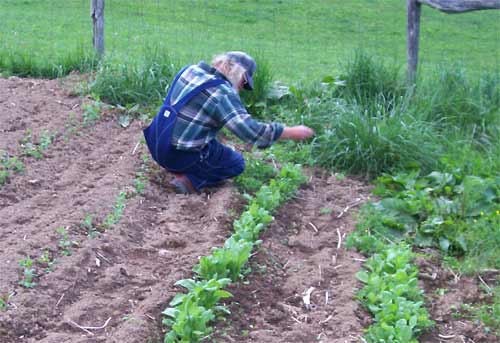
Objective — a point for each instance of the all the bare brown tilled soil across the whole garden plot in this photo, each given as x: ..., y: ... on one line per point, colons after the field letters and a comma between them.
x: 127, y: 273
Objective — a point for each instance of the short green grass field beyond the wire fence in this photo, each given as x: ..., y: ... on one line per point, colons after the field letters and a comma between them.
x: 301, y: 40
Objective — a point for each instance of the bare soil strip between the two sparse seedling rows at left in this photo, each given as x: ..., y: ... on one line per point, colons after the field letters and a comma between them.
x: 75, y: 179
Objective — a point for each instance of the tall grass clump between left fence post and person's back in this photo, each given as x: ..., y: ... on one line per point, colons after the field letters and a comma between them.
x: 143, y: 81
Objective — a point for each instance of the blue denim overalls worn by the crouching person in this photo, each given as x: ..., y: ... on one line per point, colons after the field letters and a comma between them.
x: 204, y: 168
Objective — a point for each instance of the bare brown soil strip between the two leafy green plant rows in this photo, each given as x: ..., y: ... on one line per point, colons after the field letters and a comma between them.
x: 300, y: 251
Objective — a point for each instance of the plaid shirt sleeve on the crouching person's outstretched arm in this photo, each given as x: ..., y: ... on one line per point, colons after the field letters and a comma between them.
x: 235, y: 117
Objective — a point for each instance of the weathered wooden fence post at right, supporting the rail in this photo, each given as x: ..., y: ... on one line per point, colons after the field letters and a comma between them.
x: 412, y: 35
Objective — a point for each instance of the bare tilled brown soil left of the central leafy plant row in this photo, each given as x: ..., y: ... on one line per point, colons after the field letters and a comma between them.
x: 128, y: 272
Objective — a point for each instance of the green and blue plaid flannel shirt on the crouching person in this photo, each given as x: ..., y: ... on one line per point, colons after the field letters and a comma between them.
x: 204, y: 115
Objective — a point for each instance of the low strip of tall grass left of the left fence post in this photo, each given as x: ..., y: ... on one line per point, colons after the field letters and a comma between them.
x: 29, y: 64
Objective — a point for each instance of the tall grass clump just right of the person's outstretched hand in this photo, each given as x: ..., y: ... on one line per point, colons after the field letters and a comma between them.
x: 367, y: 143
